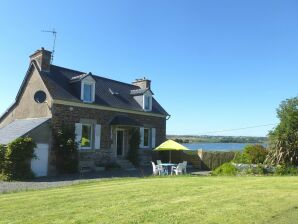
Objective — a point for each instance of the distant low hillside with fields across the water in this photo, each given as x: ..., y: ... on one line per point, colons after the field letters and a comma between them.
x: 217, y: 139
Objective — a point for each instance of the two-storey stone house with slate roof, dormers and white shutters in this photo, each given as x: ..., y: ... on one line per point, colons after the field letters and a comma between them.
x: 101, y: 111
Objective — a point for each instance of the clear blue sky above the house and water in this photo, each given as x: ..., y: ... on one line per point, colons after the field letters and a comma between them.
x: 214, y: 65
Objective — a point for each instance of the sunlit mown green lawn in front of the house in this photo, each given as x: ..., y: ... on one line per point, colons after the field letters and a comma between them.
x: 159, y: 200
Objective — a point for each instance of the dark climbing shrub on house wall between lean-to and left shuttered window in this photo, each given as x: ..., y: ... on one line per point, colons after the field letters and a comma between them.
x: 66, y: 149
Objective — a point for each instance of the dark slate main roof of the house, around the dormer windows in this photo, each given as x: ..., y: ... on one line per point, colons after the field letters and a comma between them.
x: 61, y: 86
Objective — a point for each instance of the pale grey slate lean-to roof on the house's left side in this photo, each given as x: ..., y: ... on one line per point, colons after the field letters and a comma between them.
x: 19, y: 128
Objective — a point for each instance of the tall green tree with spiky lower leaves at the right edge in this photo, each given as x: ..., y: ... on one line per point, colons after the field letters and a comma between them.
x: 283, y: 140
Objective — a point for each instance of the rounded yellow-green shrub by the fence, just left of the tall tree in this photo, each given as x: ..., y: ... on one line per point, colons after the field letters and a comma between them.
x: 252, y: 154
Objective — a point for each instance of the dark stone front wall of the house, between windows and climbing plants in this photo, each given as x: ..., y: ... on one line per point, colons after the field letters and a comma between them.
x: 69, y: 115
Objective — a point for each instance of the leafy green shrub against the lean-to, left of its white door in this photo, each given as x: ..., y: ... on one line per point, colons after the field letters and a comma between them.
x: 17, y: 159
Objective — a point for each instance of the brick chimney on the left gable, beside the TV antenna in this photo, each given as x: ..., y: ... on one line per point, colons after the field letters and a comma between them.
x: 43, y: 59
